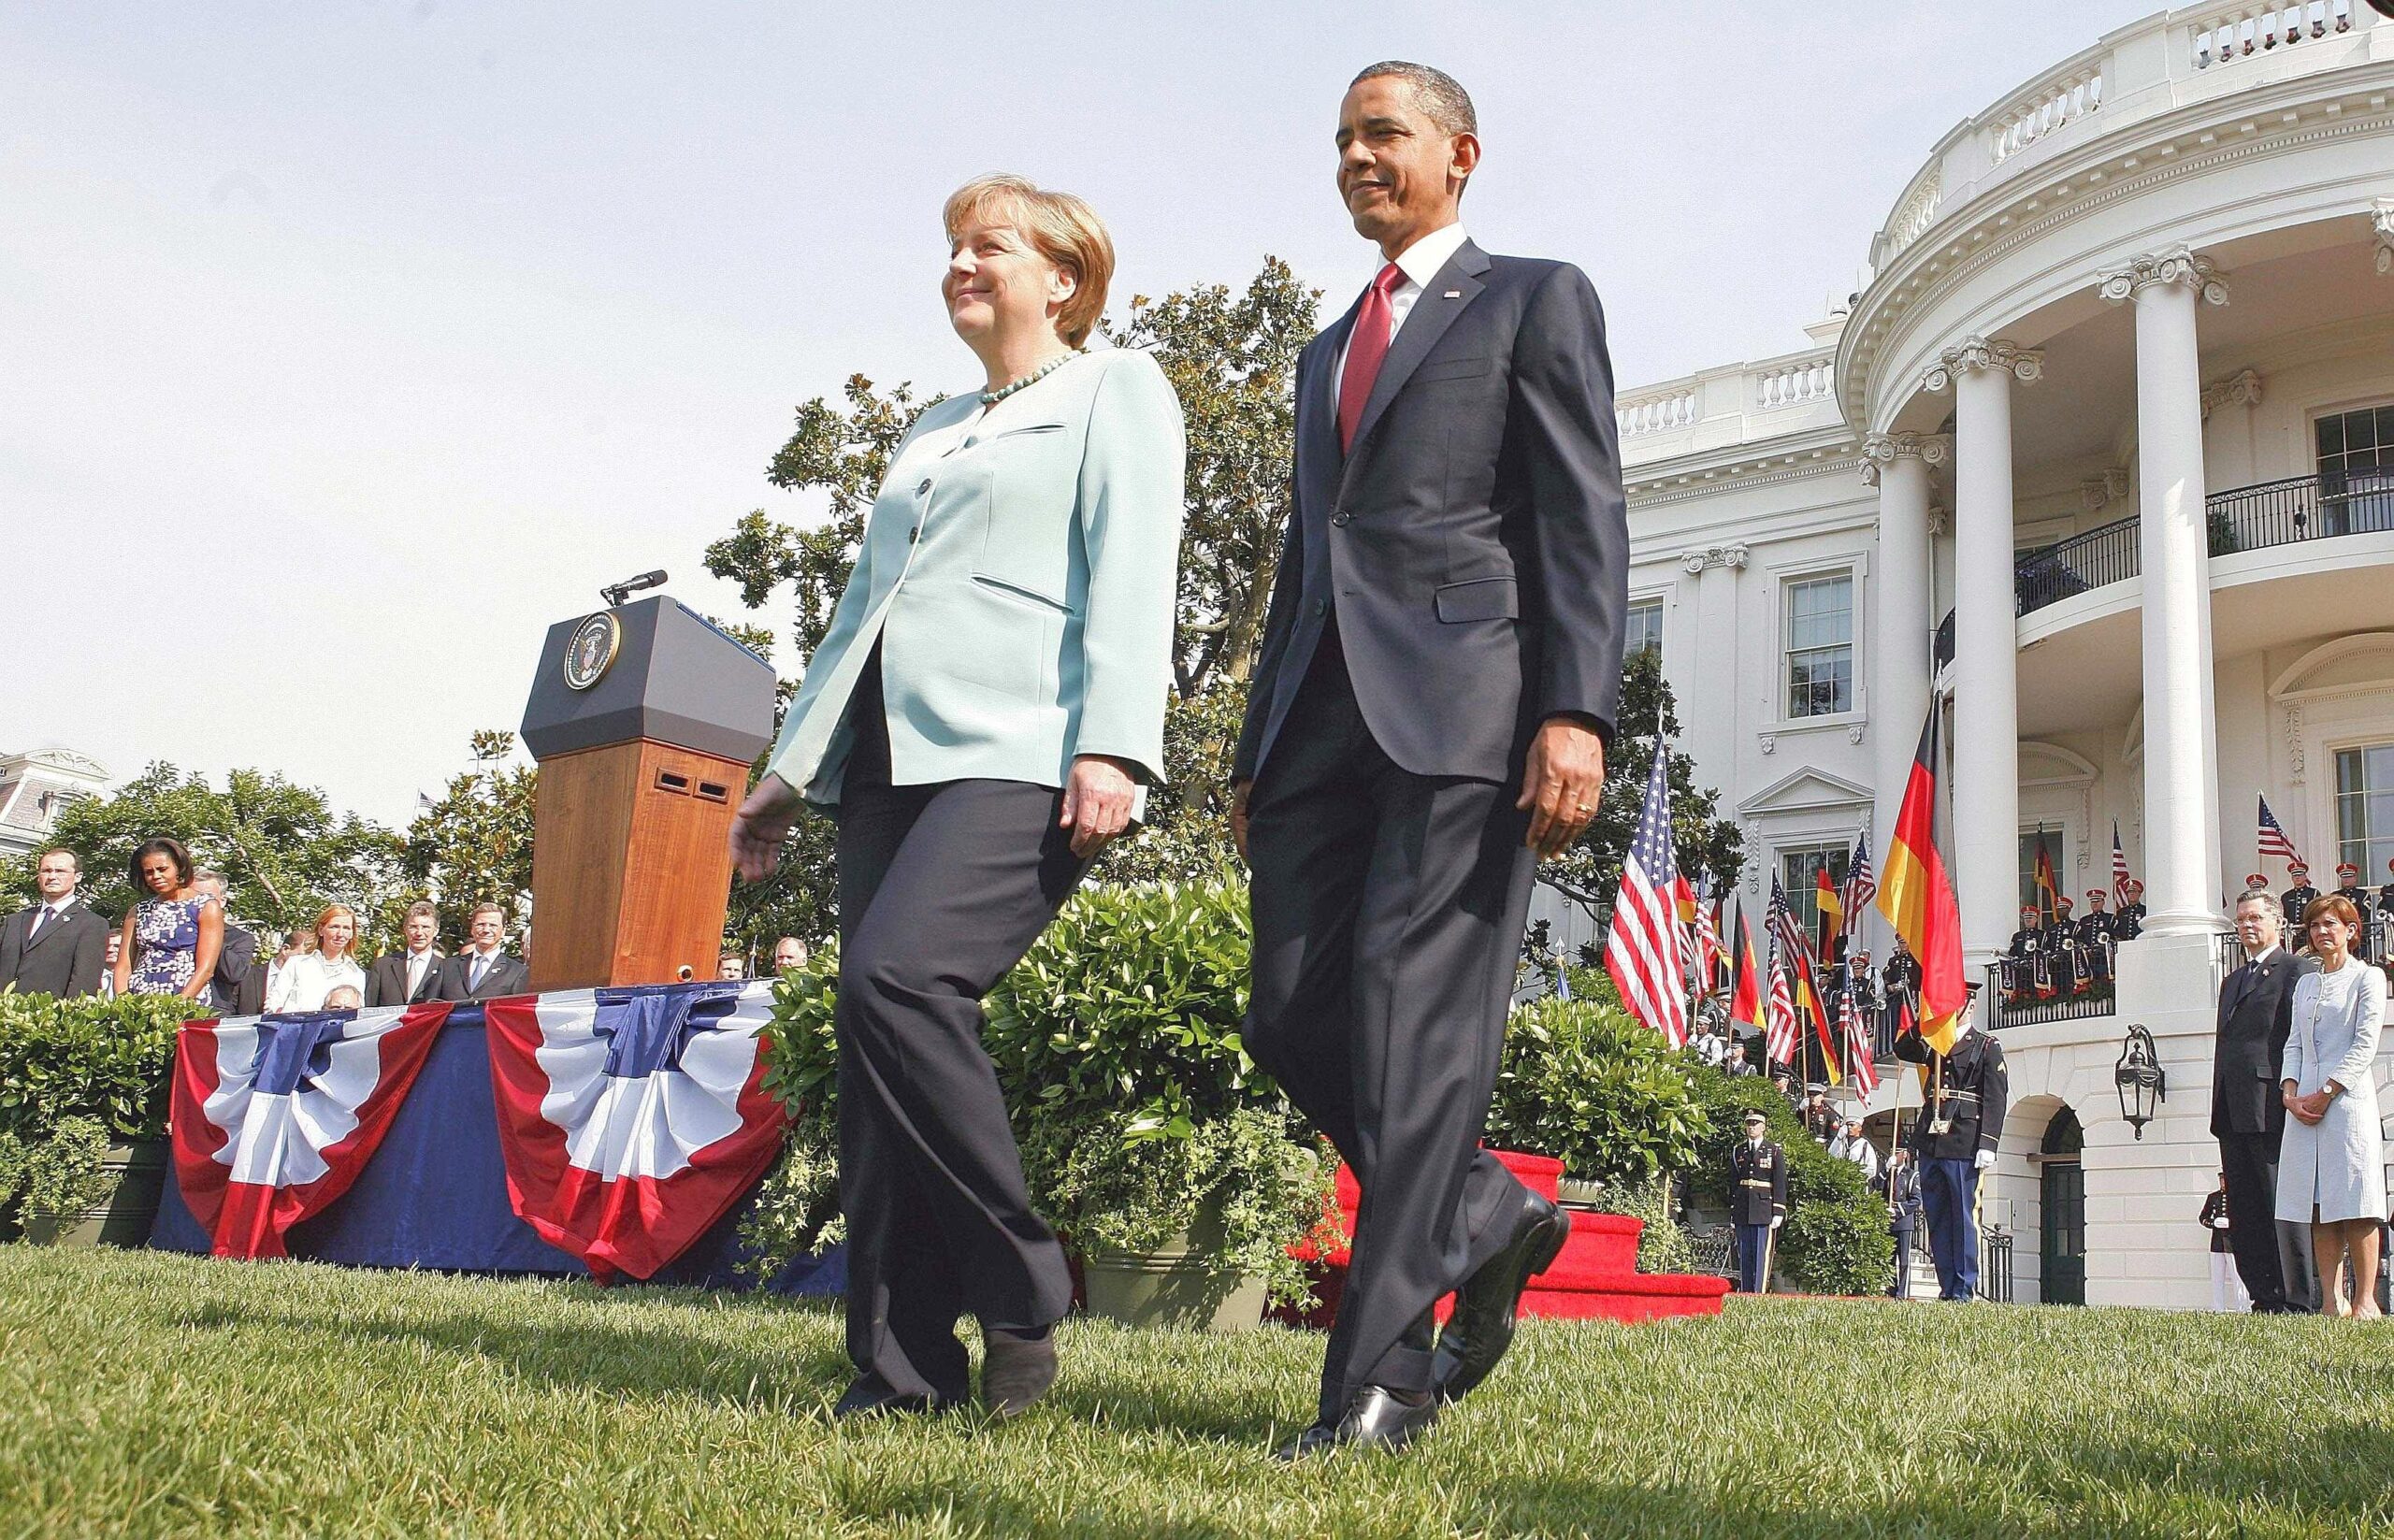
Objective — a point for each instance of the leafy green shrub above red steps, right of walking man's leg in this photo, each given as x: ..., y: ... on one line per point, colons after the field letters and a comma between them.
x: 1586, y: 1084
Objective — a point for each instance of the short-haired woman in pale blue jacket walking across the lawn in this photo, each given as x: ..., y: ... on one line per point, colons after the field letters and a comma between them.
x: 983, y: 717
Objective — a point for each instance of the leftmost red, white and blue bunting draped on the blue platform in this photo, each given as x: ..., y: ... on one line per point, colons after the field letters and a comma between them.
x: 277, y: 1115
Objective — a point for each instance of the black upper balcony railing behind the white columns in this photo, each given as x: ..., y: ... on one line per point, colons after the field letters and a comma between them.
x: 2247, y: 519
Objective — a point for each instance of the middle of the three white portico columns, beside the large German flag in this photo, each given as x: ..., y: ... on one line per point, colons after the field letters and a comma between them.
x: 1986, y: 641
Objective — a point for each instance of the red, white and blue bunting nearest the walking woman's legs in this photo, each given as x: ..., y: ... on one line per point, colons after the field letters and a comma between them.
x: 633, y: 1120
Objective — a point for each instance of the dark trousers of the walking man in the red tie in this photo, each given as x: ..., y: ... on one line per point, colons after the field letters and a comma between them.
x: 1390, y: 914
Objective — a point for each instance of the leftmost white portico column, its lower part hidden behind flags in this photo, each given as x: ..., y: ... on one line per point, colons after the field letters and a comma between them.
x: 1904, y: 667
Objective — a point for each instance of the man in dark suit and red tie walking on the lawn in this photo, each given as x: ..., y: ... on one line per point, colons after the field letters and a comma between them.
x: 1438, y: 684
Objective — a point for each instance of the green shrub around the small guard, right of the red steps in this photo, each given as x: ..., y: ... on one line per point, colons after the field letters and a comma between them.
x: 1835, y: 1239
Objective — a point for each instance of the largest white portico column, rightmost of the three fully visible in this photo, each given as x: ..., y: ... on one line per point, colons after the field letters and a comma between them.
x: 2182, y: 748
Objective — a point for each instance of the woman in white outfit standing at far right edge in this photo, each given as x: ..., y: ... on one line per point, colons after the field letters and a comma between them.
x: 2331, y: 1168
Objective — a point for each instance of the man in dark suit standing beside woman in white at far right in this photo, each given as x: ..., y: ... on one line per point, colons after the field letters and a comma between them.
x: 2249, y: 1117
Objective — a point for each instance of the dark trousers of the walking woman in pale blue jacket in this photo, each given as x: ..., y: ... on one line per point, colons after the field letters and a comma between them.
x: 942, y: 892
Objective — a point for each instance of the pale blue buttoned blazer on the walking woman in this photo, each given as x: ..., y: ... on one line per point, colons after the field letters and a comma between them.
x: 1021, y: 588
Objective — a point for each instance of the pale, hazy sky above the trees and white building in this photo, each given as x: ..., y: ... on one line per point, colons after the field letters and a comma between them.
x: 348, y: 346
